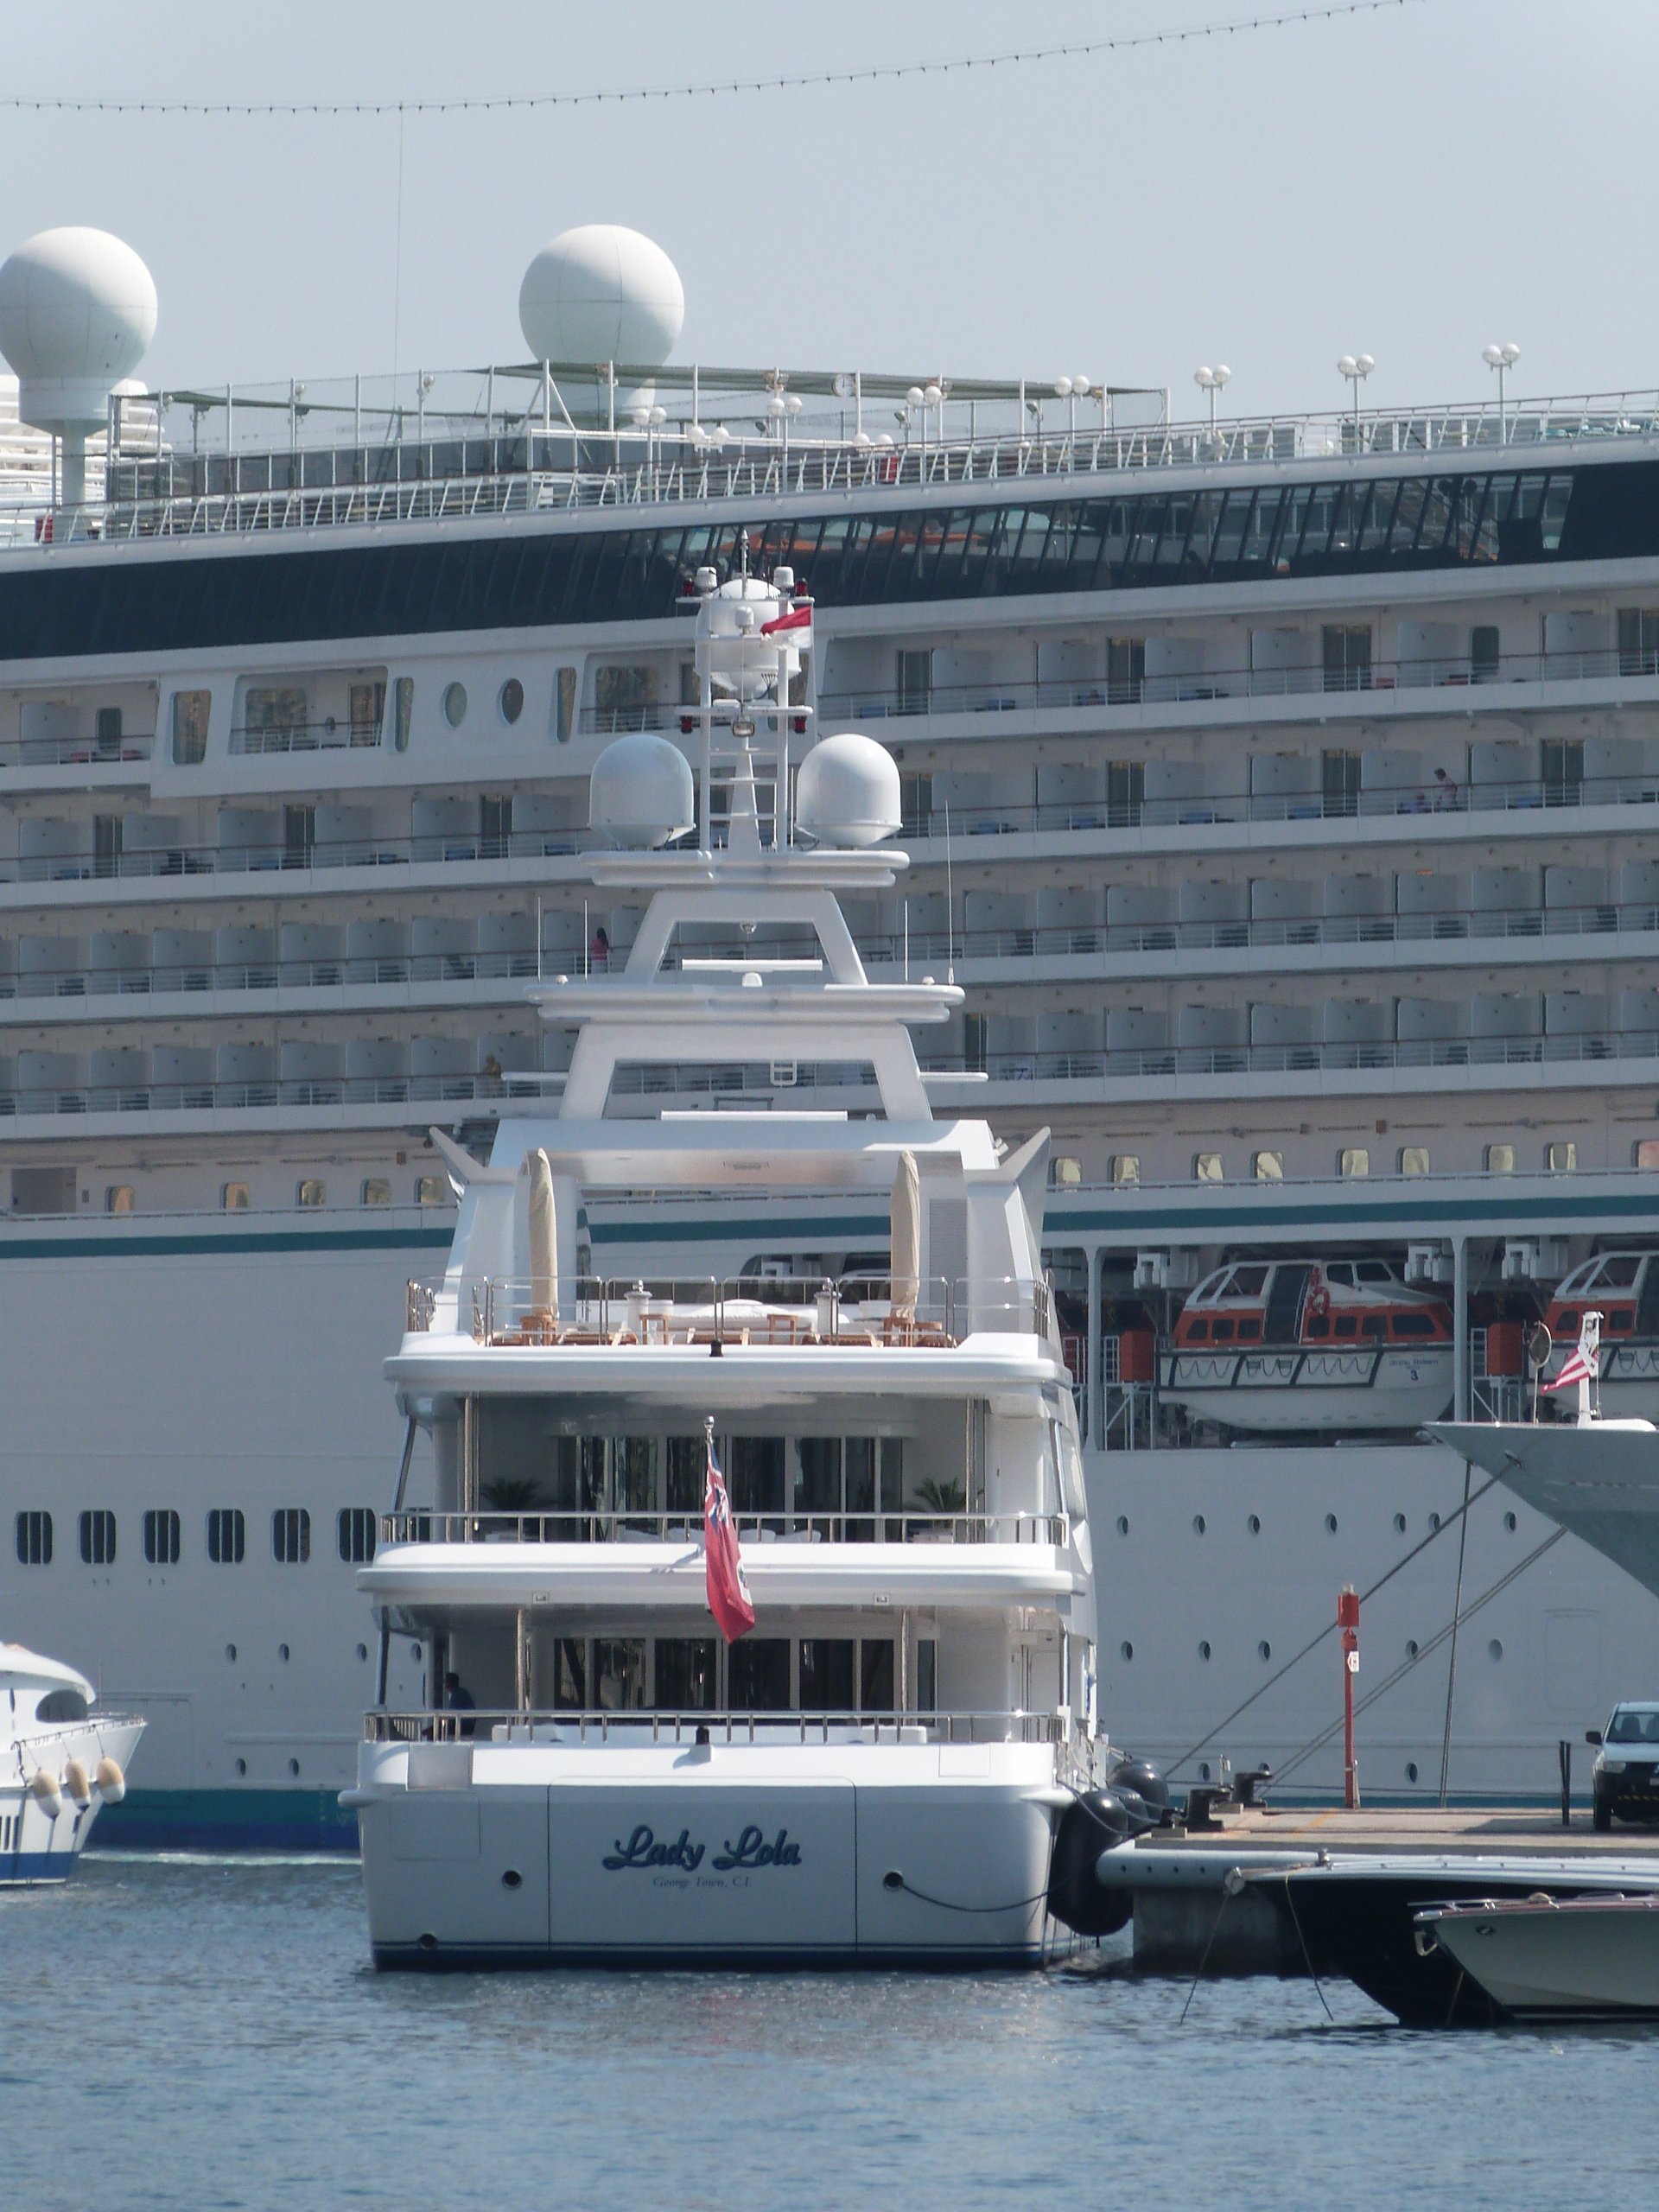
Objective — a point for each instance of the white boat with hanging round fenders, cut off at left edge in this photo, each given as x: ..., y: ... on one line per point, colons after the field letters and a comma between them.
x: 61, y: 1762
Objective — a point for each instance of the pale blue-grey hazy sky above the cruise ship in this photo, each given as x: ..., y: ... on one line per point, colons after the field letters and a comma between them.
x: 1412, y: 185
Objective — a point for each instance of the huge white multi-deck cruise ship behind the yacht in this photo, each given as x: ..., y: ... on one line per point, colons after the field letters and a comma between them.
x: 1280, y: 795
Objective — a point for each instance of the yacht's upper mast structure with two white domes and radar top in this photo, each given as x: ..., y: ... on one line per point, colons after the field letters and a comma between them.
x: 744, y: 855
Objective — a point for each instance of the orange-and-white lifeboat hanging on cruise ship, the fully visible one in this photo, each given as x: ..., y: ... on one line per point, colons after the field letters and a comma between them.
x: 1311, y: 1346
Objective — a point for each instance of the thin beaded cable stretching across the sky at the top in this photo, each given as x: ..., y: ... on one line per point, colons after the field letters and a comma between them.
x: 879, y: 74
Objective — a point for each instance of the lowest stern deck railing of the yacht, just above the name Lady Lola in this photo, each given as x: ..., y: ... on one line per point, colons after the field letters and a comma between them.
x: 636, y: 1726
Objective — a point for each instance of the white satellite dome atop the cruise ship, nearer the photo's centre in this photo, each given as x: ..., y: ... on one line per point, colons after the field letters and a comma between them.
x: 603, y: 293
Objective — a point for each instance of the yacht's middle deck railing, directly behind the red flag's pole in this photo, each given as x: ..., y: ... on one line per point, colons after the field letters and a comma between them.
x: 550, y: 1525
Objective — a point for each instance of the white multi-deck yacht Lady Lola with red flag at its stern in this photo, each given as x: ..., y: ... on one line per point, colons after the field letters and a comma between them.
x: 870, y: 1760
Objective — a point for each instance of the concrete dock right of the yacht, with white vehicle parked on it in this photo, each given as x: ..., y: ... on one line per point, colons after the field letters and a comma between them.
x: 1189, y: 1923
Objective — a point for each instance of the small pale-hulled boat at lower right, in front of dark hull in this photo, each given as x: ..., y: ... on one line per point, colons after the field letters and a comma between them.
x: 1554, y: 1959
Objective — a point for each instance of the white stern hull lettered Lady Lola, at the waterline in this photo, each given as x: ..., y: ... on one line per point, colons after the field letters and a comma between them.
x: 707, y: 1857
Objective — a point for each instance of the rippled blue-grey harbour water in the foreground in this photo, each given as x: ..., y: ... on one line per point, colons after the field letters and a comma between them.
x: 209, y: 2036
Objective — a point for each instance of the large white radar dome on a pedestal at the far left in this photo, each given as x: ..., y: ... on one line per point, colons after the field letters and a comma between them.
x: 76, y: 317
